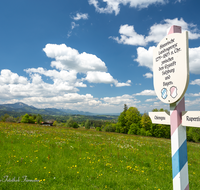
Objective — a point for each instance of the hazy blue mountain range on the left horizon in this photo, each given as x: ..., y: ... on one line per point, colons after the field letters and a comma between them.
x: 21, y: 107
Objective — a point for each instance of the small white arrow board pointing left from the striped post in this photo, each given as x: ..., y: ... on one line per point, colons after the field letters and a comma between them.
x: 160, y: 118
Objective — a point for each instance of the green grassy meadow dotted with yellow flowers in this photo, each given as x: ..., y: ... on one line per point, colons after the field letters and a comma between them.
x: 36, y: 157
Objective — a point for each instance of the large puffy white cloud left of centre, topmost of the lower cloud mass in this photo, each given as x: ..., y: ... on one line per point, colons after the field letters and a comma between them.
x: 70, y: 59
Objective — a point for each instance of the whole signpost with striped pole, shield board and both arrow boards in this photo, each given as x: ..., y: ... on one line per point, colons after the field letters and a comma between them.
x: 171, y: 78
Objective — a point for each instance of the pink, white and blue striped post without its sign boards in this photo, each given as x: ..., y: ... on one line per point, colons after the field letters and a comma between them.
x: 178, y: 140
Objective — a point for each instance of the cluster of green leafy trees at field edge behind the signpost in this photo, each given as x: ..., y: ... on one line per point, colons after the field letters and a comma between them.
x: 130, y: 121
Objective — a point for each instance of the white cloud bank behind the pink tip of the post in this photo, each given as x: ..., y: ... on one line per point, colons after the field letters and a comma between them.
x: 157, y: 32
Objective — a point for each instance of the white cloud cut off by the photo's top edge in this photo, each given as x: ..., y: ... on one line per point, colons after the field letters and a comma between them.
x: 114, y: 5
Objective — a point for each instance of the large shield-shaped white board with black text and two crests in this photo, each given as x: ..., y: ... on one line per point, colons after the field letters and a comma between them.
x: 171, y: 67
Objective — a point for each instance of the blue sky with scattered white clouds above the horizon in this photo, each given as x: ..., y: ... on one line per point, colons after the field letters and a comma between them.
x: 91, y: 55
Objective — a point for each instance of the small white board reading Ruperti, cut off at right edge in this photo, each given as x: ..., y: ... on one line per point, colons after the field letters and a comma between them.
x: 191, y: 118
